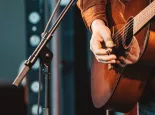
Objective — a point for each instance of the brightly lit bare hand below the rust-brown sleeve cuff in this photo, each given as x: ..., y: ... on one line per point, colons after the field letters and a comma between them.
x: 101, y: 33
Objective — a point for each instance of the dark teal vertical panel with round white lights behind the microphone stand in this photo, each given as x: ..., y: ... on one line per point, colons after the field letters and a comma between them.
x: 34, y: 14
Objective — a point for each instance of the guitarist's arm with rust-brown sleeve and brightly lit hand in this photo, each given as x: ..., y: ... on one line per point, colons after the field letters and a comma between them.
x: 94, y: 15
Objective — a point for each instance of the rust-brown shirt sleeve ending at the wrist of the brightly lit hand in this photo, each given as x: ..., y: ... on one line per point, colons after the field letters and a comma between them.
x: 91, y: 10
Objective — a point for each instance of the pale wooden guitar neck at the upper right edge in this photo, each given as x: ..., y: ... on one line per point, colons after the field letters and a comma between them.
x: 143, y: 17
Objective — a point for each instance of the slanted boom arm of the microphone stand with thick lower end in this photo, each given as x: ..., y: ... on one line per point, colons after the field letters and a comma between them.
x: 45, y: 39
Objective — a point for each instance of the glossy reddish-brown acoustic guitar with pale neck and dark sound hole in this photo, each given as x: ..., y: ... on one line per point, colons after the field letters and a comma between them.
x: 120, y: 88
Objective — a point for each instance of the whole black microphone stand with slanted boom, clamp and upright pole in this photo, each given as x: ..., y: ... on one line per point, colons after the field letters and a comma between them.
x: 45, y: 56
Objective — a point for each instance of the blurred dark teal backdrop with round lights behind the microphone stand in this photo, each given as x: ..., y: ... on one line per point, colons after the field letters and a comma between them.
x: 21, y: 25
